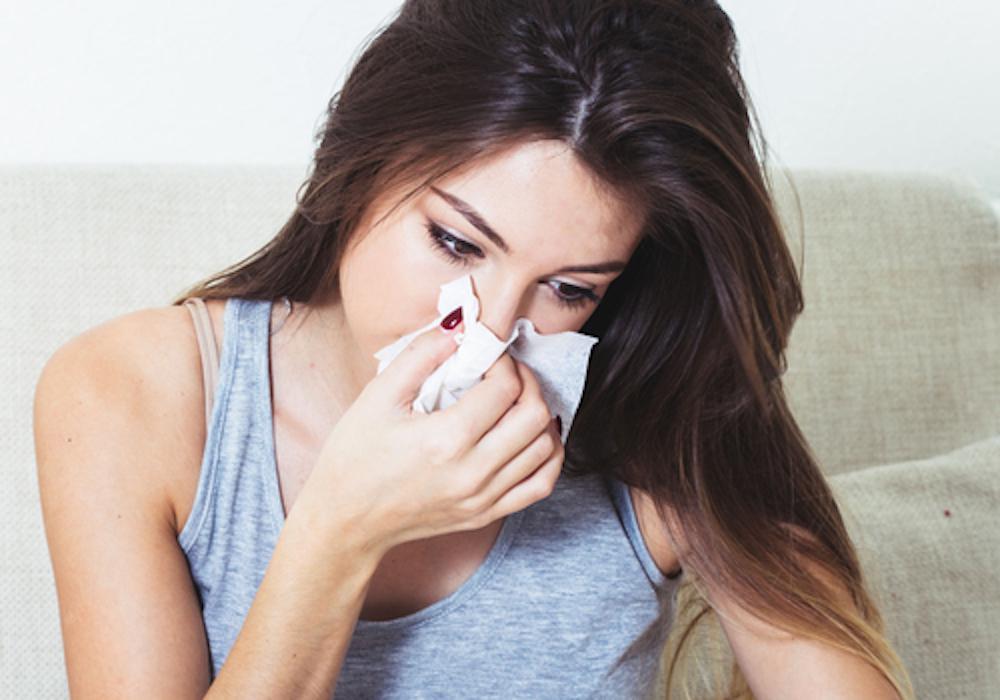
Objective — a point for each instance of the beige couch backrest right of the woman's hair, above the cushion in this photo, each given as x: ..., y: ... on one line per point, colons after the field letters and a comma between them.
x: 896, y: 355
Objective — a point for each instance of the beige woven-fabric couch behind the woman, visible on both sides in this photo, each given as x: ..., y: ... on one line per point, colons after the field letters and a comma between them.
x: 894, y: 373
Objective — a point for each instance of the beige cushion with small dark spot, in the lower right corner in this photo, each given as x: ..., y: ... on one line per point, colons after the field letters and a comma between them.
x: 928, y: 537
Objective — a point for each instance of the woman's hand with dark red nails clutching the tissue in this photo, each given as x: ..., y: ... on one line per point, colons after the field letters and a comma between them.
x: 404, y: 475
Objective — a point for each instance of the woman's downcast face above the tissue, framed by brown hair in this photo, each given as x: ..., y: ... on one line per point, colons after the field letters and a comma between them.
x: 546, y: 217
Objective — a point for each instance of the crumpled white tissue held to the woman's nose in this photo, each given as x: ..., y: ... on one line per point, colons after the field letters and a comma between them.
x: 558, y: 360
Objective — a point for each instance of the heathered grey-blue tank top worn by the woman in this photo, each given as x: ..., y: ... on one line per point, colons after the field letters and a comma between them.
x: 560, y: 608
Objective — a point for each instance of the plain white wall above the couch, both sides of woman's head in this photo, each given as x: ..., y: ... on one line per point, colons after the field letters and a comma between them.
x: 889, y: 85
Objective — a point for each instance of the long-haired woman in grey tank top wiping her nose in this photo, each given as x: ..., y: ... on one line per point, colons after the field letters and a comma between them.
x: 590, y: 165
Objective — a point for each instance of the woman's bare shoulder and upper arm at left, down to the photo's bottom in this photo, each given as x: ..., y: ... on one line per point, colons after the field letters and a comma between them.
x: 118, y: 423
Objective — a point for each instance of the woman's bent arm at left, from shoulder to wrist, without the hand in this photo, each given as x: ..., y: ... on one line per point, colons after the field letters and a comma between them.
x: 105, y: 437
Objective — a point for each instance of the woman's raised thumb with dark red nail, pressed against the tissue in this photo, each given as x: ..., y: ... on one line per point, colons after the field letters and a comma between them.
x: 401, y: 380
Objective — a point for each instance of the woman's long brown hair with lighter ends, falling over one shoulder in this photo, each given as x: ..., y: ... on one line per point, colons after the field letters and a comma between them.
x: 683, y: 396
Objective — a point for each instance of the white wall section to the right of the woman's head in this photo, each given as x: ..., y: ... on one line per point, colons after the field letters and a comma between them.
x: 891, y: 84
